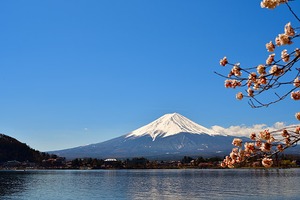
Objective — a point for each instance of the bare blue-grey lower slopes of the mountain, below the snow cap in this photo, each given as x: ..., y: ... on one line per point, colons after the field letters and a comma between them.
x: 173, y: 146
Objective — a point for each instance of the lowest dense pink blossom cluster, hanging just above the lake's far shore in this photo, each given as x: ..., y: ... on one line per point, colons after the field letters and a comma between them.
x: 264, y: 144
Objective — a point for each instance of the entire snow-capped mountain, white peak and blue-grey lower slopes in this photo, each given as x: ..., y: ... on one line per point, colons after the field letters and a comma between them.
x: 168, y: 137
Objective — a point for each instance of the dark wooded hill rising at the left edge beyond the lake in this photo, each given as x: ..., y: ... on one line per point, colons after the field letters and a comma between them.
x: 12, y: 149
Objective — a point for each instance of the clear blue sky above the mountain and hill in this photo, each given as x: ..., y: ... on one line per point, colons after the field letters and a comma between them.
x: 80, y: 72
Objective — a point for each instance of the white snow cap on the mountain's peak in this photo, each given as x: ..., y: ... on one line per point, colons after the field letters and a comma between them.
x: 170, y: 124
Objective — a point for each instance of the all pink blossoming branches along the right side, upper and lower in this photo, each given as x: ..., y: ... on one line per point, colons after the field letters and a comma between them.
x: 269, y: 74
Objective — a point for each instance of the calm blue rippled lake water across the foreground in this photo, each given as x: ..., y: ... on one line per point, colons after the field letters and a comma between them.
x: 150, y: 184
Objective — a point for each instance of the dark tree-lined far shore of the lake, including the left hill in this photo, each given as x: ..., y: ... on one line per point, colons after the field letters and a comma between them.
x: 16, y: 154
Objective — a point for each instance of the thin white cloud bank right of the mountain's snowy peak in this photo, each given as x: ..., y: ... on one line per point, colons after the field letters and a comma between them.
x: 243, y: 130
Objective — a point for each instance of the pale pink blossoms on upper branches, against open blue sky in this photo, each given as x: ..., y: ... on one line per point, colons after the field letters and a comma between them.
x: 266, y: 75
